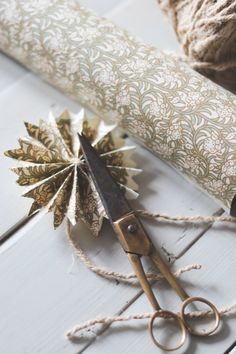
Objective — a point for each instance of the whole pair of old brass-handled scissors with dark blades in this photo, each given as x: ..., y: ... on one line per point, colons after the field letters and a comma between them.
x: 136, y: 243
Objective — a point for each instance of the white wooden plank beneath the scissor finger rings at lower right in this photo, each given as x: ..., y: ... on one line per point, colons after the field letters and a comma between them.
x: 215, y: 281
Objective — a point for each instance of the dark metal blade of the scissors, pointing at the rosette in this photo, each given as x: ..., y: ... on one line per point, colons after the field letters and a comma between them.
x: 111, y: 196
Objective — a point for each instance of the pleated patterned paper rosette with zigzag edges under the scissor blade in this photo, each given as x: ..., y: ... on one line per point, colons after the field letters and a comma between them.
x: 55, y: 173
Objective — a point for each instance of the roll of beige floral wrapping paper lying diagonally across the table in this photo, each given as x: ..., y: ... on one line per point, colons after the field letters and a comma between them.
x: 176, y: 113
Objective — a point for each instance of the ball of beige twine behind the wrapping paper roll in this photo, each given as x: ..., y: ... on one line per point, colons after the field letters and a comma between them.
x: 206, y: 30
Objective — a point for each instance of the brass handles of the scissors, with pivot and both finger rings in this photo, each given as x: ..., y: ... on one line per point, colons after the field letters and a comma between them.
x: 136, y: 244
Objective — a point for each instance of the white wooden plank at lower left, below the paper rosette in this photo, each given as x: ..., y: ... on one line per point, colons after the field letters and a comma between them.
x: 44, y: 290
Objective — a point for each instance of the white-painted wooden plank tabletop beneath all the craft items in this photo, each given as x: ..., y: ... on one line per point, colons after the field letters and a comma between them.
x: 43, y: 291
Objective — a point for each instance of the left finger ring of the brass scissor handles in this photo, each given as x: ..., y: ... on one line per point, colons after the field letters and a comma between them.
x: 166, y: 315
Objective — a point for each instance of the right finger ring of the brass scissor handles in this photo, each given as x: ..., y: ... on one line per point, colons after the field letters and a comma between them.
x: 212, y: 307
